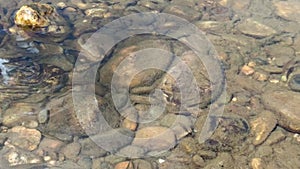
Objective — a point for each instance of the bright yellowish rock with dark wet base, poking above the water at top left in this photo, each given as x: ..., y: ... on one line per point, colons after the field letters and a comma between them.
x: 38, y: 19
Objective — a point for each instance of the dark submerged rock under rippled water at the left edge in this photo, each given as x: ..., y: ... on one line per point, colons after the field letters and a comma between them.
x: 26, y: 77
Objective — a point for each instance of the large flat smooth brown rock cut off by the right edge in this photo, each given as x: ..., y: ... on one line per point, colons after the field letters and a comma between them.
x: 287, y: 106
